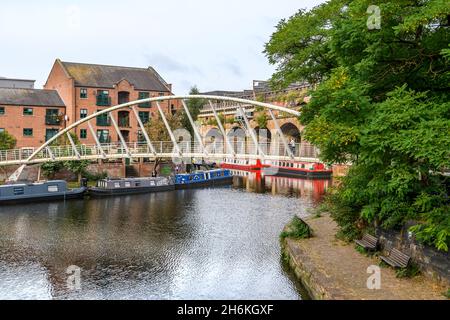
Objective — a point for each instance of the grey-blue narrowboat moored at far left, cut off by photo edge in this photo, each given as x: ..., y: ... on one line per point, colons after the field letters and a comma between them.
x: 38, y: 191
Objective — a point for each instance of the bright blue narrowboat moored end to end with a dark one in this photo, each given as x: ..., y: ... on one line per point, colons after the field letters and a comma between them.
x: 203, y: 179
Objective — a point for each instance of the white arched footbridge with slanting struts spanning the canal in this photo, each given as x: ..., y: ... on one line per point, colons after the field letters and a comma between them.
x: 219, y: 149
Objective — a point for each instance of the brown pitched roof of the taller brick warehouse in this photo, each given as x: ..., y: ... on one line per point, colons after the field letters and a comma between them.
x: 104, y: 76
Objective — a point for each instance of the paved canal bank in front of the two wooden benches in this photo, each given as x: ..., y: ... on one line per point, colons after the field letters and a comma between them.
x: 332, y: 269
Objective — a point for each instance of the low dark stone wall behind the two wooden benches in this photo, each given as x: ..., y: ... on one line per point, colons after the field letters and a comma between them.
x: 433, y: 263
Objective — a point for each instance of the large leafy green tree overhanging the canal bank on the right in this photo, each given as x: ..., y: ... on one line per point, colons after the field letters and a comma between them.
x: 382, y: 104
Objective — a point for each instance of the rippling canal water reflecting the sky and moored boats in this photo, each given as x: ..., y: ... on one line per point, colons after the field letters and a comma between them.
x: 218, y: 243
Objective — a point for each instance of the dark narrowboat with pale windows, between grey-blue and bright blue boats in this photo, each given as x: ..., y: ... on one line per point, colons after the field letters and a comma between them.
x: 124, y: 186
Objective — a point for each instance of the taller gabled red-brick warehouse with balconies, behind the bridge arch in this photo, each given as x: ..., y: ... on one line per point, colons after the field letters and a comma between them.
x: 88, y: 88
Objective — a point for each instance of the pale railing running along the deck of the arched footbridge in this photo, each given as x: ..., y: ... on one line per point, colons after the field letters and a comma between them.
x: 214, y: 150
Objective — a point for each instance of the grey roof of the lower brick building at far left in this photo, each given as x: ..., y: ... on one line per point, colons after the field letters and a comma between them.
x: 30, y: 97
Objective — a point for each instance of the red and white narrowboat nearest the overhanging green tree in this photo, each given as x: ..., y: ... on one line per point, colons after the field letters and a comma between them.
x: 290, y: 168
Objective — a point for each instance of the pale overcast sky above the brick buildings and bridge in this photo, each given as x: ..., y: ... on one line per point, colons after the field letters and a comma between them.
x: 213, y: 44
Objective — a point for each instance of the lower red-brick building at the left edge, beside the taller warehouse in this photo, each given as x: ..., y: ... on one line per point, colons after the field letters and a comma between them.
x: 32, y: 116
